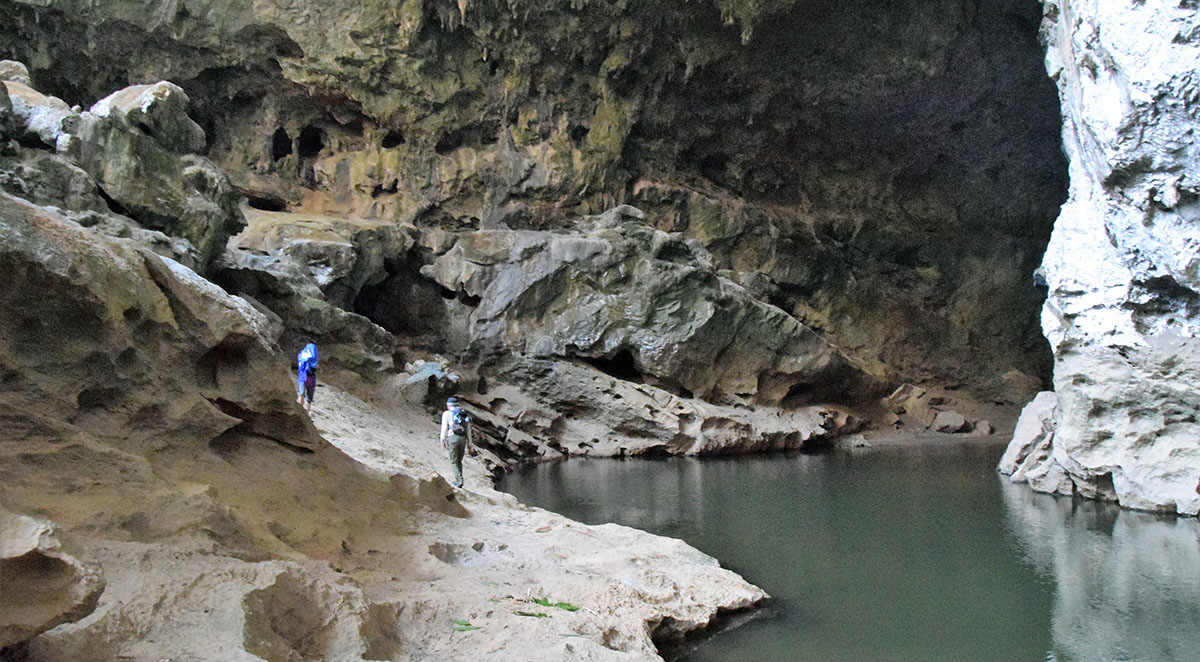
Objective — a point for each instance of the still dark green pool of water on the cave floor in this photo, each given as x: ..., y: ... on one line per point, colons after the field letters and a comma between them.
x: 905, y: 555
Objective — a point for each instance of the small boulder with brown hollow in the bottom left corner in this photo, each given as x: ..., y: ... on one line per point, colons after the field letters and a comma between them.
x: 44, y: 586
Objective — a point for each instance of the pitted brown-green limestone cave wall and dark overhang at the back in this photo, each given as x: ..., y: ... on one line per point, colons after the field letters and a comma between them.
x: 886, y: 173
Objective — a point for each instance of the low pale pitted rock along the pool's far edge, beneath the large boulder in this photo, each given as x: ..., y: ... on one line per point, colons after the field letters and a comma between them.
x: 553, y: 408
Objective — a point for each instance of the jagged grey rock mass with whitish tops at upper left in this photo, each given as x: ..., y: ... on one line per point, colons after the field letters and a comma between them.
x: 133, y: 155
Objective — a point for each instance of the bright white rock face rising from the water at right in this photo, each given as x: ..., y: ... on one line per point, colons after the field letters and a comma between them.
x: 1124, y: 262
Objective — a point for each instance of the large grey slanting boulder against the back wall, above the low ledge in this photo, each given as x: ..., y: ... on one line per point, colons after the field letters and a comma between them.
x: 647, y: 304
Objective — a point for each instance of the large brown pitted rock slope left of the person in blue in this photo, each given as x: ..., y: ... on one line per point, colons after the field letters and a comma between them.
x: 129, y: 341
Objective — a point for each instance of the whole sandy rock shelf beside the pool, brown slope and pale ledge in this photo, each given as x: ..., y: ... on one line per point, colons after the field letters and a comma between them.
x: 370, y: 557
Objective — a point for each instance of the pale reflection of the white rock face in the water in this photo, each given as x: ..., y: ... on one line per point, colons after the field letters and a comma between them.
x: 1127, y: 585
